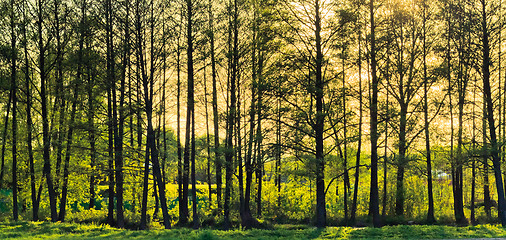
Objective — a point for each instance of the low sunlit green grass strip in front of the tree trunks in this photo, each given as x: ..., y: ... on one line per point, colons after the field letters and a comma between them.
x: 45, y: 230
